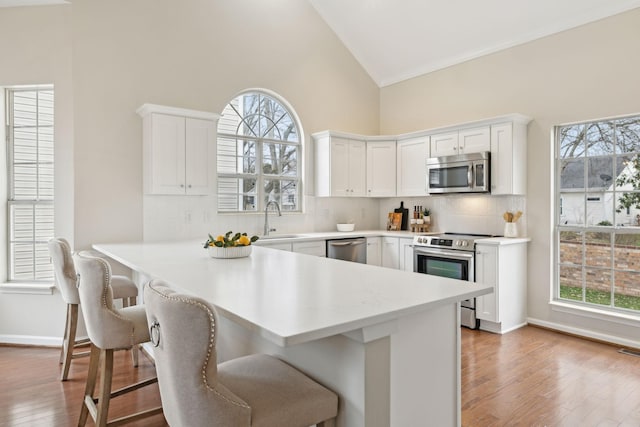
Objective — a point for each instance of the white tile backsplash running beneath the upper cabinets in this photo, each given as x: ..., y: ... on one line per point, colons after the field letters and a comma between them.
x: 192, y: 217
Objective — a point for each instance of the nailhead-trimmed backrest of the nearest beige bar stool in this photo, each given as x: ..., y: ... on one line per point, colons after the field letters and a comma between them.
x: 183, y: 330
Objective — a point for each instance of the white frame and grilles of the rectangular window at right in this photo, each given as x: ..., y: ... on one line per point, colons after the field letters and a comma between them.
x: 613, y: 231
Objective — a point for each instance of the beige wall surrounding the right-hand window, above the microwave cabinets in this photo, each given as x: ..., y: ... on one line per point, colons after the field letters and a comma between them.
x: 585, y: 73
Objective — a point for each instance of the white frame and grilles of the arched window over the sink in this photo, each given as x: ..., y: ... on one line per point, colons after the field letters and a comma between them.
x: 259, y: 175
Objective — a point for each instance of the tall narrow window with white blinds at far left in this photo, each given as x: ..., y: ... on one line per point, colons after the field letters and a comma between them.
x: 30, y: 177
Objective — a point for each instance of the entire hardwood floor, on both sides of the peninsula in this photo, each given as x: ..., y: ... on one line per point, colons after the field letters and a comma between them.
x: 529, y: 377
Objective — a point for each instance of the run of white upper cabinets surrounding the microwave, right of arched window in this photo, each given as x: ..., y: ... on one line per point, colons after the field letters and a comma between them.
x: 357, y: 165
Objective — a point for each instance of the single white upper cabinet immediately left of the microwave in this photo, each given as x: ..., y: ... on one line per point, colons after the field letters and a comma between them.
x: 411, y: 157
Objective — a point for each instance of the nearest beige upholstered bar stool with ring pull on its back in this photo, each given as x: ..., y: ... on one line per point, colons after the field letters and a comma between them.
x: 255, y: 390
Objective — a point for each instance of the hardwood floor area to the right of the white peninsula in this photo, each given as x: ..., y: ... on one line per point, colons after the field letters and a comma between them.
x: 536, y: 377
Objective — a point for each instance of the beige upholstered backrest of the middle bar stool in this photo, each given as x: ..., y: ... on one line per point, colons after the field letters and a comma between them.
x: 107, y: 329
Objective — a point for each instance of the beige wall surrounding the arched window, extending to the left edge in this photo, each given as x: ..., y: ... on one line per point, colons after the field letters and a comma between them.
x: 106, y: 58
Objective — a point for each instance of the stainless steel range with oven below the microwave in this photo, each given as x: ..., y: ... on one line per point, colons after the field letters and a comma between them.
x: 449, y: 255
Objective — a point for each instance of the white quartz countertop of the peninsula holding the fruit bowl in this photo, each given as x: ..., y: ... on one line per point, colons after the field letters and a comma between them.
x: 290, y: 298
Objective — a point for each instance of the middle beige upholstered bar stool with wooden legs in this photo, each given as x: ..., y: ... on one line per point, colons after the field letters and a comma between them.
x: 109, y: 329
